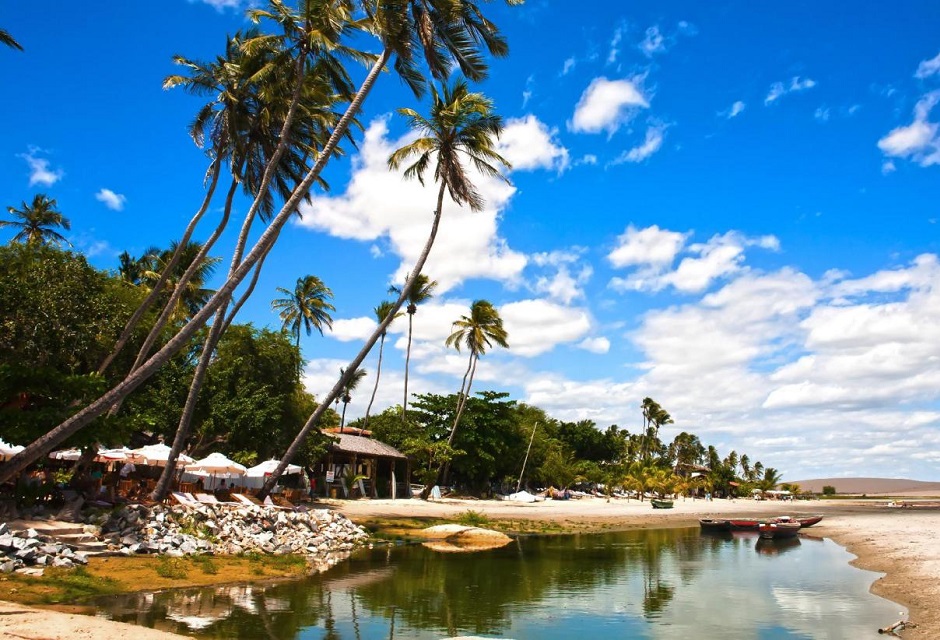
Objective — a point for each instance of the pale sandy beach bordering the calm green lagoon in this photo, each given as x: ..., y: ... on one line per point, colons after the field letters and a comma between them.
x: 897, y: 542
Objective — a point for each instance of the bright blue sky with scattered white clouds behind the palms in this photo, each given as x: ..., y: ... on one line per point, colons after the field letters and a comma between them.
x: 729, y: 208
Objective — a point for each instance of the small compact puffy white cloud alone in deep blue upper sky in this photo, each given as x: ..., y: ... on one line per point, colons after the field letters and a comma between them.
x: 607, y: 104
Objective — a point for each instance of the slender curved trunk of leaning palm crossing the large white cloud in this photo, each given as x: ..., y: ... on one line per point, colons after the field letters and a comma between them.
x: 298, y: 442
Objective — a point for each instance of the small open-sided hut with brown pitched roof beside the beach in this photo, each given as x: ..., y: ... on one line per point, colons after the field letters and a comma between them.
x: 356, y: 465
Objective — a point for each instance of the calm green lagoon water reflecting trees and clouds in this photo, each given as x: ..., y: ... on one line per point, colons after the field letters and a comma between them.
x: 670, y: 583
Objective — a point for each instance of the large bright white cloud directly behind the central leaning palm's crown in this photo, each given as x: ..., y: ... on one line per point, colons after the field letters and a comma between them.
x: 378, y: 203
